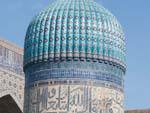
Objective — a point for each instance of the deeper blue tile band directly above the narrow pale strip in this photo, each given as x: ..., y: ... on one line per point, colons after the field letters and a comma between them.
x: 73, y: 74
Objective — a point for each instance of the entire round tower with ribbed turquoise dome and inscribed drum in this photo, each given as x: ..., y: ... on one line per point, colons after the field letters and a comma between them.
x: 74, y: 60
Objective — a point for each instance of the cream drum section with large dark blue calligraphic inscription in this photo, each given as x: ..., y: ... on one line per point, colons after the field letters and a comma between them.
x: 75, y: 99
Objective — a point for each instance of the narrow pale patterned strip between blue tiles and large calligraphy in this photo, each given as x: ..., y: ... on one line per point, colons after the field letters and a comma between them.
x: 74, y: 81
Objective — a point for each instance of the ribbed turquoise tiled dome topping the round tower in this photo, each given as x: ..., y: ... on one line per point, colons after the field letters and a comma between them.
x: 74, y: 30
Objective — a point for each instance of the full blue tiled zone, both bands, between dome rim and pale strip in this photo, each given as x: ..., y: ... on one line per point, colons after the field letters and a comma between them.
x: 85, y: 71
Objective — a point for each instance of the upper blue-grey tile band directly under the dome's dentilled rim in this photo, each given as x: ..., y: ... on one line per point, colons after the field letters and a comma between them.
x: 102, y: 65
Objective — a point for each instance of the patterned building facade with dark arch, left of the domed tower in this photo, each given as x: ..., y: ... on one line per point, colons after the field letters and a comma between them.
x: 11, y: 78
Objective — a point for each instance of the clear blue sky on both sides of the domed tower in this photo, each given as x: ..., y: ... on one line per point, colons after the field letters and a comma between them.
x: 134, y: 15
